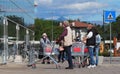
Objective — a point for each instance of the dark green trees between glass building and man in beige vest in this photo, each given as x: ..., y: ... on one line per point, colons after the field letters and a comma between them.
x: 47, y: 26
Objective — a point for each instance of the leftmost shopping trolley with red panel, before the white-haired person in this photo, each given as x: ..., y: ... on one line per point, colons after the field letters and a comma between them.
x: 50, y: 51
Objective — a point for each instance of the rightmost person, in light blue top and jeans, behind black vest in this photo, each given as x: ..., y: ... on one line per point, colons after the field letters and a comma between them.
x: 97, y: 46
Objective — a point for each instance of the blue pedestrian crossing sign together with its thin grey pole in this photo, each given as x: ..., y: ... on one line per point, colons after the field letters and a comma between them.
x: 110, y: 16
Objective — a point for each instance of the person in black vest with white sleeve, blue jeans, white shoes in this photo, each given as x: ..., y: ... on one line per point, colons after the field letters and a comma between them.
x: 90, y: 43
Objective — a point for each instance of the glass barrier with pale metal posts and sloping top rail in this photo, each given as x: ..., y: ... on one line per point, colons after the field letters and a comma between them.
x: 12, y: 32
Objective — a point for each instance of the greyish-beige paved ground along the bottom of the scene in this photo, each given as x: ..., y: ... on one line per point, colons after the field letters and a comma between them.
x: 18, y: 68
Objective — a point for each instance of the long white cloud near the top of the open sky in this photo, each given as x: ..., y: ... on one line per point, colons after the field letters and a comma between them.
x: 82, y: 6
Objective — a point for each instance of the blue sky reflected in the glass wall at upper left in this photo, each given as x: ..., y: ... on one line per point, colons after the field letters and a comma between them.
x: 20, y: 8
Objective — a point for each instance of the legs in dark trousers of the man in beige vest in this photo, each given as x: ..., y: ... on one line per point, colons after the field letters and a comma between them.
x: 68, y: 53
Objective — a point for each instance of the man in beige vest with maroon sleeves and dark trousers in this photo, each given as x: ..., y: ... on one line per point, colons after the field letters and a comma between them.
x: 66, y: 36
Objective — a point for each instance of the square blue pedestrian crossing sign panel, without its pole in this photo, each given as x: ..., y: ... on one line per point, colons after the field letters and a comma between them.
x: 109, y: 16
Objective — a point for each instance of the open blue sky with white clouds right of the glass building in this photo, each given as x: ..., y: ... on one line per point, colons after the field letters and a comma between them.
x: 85, y: 10
